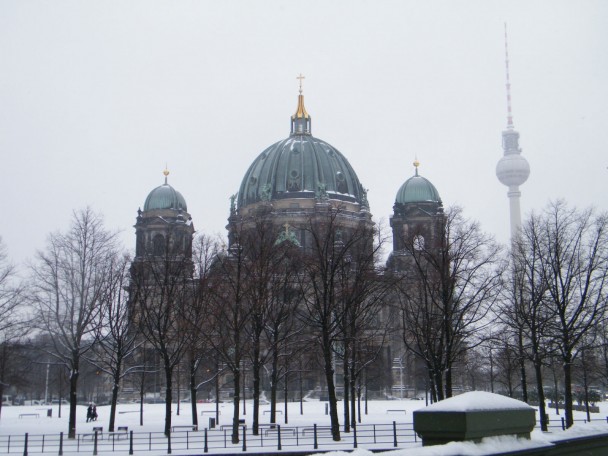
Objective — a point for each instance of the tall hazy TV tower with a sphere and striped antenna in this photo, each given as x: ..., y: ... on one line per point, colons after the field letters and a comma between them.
x: 512, y: 169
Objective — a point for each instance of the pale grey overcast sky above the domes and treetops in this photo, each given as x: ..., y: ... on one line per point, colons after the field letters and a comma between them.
x: 96, y: 96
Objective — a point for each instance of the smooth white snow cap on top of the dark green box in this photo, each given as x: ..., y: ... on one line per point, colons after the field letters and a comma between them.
x: 476, y: 401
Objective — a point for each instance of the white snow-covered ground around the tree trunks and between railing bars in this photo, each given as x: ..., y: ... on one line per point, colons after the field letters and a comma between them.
x: 18, y: 420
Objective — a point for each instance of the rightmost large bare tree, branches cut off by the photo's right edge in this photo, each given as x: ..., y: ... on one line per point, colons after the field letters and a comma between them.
x: 574, y: 249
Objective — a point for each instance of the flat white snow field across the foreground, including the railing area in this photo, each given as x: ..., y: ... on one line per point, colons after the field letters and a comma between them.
x: 385, y: 422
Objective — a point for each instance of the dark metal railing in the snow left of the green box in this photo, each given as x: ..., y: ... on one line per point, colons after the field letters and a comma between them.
x: 372, y: 436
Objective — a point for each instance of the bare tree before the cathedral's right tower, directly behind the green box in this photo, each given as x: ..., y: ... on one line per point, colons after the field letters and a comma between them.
x: 454, y: 278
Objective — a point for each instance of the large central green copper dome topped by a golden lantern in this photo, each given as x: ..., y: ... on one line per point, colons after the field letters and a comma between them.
x: 300, y: 166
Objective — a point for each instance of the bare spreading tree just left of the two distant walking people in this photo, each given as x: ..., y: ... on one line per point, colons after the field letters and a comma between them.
x: 69, y: 282
